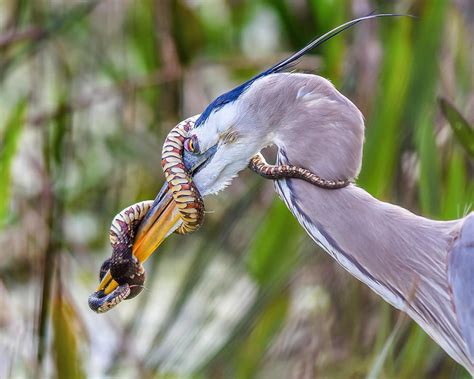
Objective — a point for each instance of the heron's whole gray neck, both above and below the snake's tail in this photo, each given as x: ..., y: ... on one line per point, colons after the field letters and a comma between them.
x: 401, y: 256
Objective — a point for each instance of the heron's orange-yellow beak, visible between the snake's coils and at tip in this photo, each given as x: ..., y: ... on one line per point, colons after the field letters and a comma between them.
x: 162, y: 219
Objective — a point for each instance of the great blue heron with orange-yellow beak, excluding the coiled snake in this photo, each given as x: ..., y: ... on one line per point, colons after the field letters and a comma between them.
x: 420, y: 266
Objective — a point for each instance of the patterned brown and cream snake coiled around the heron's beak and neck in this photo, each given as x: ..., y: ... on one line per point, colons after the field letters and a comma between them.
x: 124, y: 267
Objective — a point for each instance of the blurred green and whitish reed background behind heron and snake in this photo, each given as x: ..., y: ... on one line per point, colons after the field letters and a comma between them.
x: 89, y: 90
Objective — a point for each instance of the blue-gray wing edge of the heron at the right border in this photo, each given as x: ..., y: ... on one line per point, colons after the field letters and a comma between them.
x: 461, y: 277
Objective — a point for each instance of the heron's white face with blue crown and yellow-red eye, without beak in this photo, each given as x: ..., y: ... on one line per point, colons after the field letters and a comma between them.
x: 228, y: 132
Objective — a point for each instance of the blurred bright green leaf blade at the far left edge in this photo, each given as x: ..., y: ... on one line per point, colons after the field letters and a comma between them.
x: 8, y: 148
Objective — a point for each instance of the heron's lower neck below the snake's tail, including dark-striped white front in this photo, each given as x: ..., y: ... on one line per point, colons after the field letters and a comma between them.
x: 401, y: 256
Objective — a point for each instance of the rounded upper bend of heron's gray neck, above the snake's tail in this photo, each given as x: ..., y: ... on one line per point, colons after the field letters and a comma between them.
x: 317, y: 126
